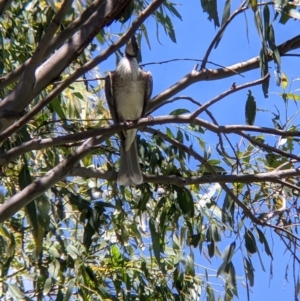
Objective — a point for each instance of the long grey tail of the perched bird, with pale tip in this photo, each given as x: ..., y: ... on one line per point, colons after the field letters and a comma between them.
x: 129, y: 173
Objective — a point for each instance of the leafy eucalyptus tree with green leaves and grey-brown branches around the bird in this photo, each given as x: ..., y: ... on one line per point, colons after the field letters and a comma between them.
x: 67, y: 231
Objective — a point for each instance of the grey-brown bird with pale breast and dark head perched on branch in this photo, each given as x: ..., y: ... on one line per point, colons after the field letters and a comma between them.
x: 128, y: 90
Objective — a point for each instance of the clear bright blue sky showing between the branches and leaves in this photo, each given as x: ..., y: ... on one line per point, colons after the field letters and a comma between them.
x: 193, y: 35
